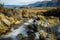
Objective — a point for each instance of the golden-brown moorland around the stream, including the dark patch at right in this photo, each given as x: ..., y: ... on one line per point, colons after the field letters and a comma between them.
x: 12, y: 17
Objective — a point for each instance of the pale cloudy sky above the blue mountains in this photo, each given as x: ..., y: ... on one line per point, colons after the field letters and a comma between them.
x: 19, y: 2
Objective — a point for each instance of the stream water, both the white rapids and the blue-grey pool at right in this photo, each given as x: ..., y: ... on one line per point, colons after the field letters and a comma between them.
x: 23, y: 29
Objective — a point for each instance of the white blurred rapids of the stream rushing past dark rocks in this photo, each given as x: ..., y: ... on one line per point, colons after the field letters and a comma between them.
x: 20, y: 30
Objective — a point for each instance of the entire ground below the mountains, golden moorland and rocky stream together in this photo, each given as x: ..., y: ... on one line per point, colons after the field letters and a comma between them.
x: 29, y: 24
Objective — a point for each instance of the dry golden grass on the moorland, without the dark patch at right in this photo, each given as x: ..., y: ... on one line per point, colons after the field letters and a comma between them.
x: 14, y: 16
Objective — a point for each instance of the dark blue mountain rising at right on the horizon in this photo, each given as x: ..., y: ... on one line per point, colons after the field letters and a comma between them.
x: 45, y: 3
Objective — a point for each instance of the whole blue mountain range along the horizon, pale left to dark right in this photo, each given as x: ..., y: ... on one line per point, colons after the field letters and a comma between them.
x: 37, y: 4
